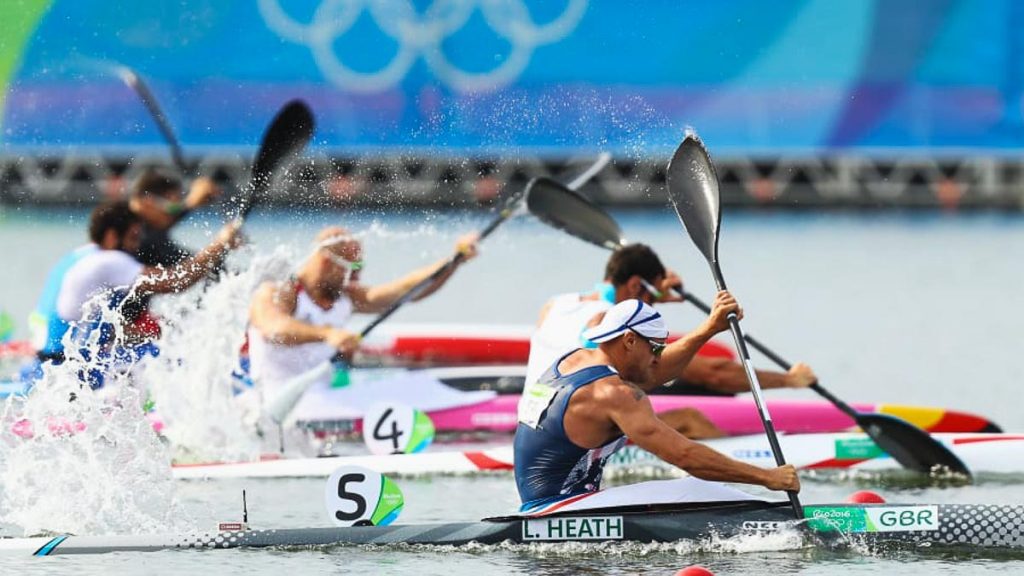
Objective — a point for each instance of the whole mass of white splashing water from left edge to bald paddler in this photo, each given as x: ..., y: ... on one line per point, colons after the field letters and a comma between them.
x: 89, y: 462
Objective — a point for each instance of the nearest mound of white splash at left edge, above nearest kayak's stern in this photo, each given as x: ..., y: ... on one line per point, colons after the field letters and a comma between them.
x: 84, y: 463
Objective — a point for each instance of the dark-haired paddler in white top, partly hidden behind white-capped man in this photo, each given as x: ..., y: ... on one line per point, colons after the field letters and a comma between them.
x: 636, y: 272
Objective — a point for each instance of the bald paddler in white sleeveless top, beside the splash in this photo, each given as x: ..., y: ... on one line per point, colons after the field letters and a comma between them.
x: 300, y: 323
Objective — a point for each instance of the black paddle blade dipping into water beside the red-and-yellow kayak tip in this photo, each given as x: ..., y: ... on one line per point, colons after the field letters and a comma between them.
x: 911, y: 446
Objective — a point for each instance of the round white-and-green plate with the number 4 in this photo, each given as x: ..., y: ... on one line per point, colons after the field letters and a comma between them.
x: 390, y: 429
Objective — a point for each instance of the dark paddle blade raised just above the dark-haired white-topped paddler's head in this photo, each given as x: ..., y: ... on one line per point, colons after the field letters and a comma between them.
x: 567, y: 210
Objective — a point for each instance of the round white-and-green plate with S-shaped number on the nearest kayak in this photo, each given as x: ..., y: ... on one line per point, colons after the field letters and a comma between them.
x: 359, y: 497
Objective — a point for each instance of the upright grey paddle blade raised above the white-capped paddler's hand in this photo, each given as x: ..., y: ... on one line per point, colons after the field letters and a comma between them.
x: 693, y: 186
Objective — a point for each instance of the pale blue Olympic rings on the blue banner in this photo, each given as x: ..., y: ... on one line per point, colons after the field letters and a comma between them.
x: 421, y: 36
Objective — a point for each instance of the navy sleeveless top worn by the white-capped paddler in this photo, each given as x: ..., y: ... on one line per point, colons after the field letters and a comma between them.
x: 549, y: 467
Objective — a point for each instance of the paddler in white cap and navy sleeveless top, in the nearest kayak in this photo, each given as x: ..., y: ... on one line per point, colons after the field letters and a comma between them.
x: 590, y: 402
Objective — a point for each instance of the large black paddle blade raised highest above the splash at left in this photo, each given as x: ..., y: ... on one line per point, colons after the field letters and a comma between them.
x: 286, y: 138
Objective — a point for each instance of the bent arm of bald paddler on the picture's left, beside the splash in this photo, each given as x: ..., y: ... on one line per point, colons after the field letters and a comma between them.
x: 272, y: 313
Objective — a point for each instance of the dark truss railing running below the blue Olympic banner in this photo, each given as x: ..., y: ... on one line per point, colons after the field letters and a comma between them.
x: 850, y: 182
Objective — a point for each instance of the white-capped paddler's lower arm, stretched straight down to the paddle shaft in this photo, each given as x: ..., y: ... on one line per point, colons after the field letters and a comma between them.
x: 630, y: 409
